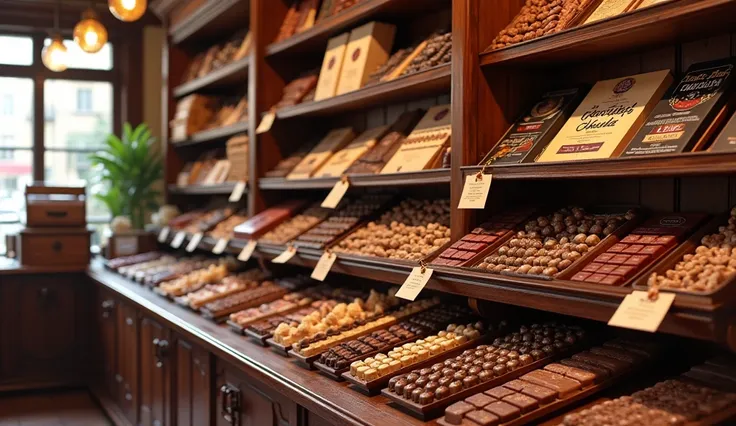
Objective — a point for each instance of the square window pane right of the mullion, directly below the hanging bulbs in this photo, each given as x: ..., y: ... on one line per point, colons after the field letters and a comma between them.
x: 78, y: 114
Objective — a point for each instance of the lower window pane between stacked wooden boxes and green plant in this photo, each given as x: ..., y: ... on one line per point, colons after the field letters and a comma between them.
x: 74, y: 168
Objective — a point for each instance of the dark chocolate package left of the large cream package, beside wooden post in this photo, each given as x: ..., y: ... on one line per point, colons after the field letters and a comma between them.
x: 532, y: 132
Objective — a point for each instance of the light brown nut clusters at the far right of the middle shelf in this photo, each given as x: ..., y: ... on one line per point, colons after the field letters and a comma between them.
x: 712, y: 265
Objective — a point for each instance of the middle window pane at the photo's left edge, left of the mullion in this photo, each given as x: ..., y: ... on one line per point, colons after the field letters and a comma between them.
x: 16, y: 112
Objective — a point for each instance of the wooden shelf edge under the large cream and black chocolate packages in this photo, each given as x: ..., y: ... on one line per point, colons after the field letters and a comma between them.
x: 690, y: 164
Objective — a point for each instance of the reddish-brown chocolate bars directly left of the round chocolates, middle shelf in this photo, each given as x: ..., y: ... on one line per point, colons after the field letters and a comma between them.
x: 468, y: 247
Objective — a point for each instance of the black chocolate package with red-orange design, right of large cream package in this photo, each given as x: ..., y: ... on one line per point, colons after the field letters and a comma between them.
x: 680, y: 119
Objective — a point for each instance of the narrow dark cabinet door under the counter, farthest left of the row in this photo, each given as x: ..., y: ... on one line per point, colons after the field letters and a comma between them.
x: 107, y: 340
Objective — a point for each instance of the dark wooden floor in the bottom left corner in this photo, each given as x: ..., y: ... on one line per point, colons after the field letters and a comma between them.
x: 57, y: 408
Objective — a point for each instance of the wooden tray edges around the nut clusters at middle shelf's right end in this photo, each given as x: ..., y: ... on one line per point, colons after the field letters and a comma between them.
x: 722, y: 294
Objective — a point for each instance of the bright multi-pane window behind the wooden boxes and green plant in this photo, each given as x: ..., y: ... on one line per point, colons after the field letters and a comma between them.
x: 67, y: 137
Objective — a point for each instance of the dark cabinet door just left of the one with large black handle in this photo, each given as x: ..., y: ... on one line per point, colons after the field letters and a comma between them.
x: 192, y: 385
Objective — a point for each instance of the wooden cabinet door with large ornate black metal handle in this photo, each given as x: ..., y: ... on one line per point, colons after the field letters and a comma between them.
x: 240, y: 403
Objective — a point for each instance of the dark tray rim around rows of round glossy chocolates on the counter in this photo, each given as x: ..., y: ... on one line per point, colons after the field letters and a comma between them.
x: 435, y: 409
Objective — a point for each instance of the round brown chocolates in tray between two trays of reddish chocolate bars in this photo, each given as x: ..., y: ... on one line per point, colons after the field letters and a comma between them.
x: 551, y: 244
